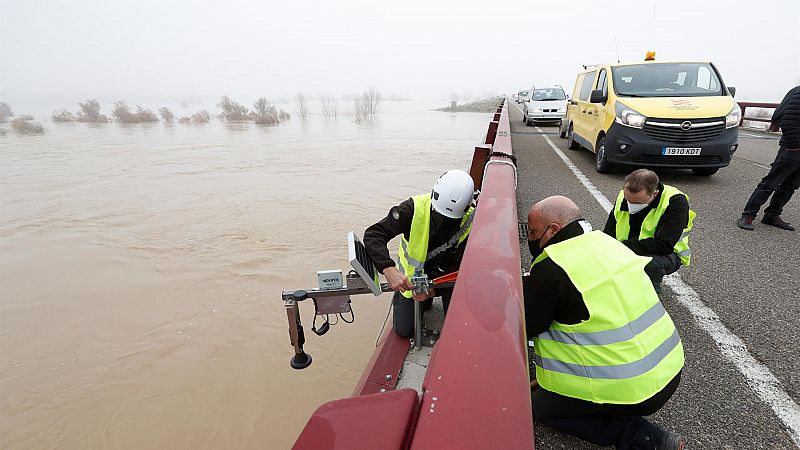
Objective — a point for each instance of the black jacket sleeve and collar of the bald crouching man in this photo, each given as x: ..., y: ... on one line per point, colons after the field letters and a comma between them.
x: 550, y: 294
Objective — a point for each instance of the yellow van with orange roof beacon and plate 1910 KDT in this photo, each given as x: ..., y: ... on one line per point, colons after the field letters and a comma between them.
x: 654, y: 114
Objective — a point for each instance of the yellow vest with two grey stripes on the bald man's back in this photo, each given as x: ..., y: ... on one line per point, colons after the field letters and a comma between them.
x: 628, y: 349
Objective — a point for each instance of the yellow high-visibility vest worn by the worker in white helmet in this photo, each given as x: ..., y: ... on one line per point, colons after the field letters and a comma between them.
x: 413, y: 253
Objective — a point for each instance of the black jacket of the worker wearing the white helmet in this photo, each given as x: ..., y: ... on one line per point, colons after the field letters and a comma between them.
x: 398, y: 222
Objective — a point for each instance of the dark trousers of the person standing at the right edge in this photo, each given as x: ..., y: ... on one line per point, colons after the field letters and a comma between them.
x: 781, y: 182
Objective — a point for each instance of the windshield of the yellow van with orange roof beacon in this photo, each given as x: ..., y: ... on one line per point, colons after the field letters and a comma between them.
x: 666, y: 80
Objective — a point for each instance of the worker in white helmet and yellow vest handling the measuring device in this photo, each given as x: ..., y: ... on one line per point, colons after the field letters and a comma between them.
x: 434, y: 227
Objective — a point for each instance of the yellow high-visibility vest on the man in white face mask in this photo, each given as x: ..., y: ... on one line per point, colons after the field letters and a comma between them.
x: 650, y: 222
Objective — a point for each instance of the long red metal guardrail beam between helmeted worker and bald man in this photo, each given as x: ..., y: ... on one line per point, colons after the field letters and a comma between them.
x: 477, y: 388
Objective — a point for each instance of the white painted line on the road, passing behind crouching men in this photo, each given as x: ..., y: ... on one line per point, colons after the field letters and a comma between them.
x: 761, y: 380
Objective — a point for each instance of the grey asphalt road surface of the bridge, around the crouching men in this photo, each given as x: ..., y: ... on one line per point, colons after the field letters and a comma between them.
x: 751, y: 280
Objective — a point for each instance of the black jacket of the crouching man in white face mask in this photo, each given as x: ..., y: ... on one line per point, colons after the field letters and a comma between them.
x: 668, y: 231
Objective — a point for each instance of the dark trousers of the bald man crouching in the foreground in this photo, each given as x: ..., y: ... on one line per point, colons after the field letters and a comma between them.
x: 603, y: 424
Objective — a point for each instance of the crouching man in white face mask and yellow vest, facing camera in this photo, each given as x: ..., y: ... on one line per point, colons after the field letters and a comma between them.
x: 653, y: 219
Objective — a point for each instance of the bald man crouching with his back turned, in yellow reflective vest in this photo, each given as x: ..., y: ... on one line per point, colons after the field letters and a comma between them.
x: 606, y: 351
